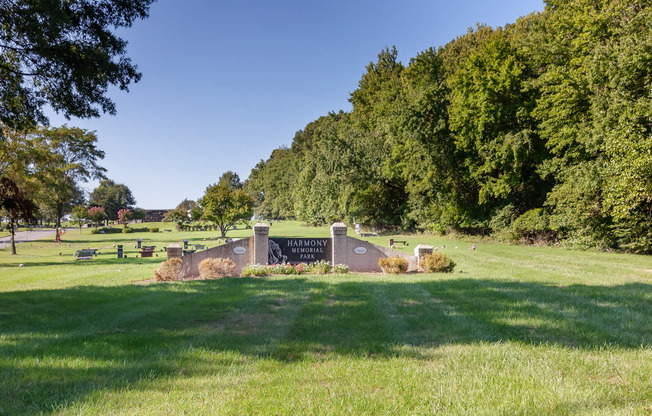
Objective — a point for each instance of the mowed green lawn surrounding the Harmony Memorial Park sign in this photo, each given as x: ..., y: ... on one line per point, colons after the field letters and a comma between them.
x: 514, y: 330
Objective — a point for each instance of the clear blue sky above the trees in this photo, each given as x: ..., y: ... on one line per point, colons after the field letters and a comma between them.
x: 225, y: 83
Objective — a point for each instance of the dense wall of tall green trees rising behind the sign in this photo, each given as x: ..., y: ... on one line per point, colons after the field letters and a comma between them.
x: 541, y: 129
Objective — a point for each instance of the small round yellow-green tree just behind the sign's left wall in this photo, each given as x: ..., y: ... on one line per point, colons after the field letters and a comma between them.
x: 225, y: 206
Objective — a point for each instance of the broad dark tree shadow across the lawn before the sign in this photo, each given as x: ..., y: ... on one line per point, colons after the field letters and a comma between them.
x: 58, y: 346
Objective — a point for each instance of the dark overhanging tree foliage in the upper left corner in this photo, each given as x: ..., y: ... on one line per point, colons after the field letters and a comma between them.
x: 63, y: 53
